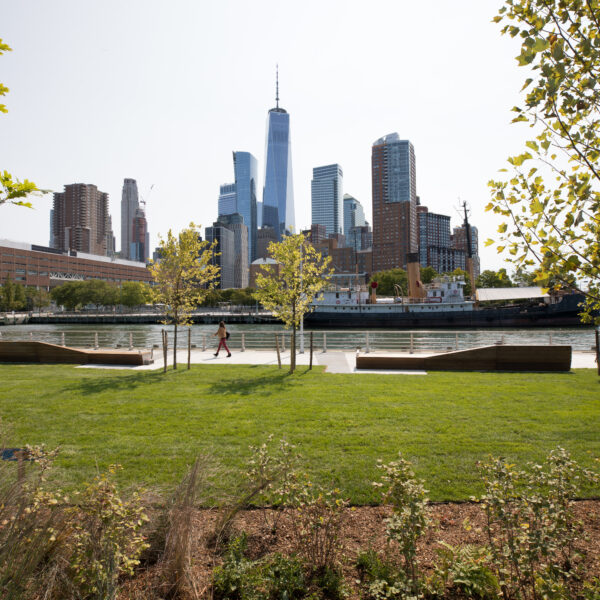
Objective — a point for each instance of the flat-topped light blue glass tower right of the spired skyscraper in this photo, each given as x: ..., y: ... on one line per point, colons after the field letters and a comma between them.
x: 327, y: 204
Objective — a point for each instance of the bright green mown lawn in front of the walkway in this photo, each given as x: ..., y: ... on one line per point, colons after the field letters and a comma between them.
x: 155, y: 424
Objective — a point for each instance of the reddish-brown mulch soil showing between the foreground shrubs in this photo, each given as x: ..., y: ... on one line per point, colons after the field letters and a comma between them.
x: 363, y: 528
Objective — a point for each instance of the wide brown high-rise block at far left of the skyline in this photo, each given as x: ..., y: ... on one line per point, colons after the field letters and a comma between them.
x: 80, y: 220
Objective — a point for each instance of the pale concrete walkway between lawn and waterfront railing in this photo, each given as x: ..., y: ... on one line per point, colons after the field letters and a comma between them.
x: 333, y: 361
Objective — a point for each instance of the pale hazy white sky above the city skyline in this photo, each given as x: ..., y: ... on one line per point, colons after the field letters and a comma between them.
x: 163, y: 92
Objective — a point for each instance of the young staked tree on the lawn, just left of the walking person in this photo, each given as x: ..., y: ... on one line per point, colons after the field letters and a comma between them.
x: 183, y: 276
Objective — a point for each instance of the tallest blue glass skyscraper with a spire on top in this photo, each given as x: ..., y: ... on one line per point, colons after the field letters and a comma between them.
x: 278, y: 192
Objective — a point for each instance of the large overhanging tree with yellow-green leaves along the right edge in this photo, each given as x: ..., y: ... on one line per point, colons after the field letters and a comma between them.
x: 550, y: 200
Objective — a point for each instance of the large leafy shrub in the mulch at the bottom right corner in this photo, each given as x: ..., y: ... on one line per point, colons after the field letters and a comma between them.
x: 530, y: 525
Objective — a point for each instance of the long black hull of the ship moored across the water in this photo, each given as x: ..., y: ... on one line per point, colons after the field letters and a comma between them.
x: 562, y: 314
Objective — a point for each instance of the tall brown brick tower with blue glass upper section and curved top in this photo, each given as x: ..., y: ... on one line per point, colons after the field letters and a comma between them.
x: 393, y: 175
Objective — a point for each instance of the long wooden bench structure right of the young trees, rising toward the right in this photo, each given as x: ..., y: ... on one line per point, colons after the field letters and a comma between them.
x: 484, y: 358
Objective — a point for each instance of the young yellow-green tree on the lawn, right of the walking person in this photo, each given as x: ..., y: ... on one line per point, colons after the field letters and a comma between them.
x: 289, y: 287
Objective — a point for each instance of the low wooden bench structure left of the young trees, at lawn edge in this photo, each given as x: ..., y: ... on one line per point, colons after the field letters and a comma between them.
x: 41, y: 352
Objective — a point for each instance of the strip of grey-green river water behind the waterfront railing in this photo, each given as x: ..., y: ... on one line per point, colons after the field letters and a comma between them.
x: 263, y: 336
